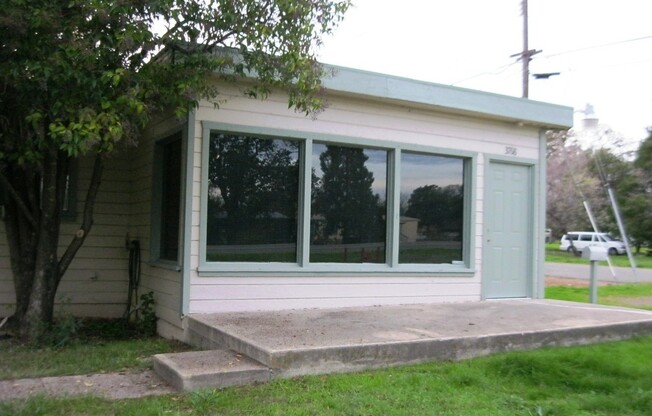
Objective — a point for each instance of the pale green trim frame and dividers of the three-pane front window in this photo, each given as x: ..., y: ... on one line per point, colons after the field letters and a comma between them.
x: 303, y: 266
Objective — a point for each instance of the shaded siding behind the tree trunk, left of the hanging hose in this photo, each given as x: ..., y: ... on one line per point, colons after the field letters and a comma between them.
x: 96, y: 281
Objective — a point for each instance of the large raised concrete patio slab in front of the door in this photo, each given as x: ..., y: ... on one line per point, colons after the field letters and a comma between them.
x: 296, y: 342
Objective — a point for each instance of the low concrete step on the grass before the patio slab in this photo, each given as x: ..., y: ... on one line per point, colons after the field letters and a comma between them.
x: 194, y: 370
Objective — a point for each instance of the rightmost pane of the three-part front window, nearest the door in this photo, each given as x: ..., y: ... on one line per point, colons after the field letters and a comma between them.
x: 432, y: 209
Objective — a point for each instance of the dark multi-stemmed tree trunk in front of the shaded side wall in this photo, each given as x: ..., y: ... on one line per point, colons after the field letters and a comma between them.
x: 32, y: 221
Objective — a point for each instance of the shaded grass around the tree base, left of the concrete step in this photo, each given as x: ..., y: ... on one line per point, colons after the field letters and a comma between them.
x: 100, y: 346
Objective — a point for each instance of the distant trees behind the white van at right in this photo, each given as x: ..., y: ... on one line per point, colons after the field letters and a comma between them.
x: 576, y: 175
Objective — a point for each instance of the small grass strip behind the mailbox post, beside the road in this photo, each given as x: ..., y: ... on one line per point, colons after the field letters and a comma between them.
x: 627, y: 295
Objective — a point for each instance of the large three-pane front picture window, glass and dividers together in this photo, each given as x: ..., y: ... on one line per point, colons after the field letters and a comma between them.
x: 303, y: 204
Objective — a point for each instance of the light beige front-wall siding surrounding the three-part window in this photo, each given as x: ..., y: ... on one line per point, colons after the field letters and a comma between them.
x: 353, y: 119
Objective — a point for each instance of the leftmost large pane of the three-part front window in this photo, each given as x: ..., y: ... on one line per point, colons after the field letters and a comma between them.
x: 253, y: 191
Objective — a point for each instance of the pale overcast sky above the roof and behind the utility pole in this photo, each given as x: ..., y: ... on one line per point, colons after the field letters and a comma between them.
x: 601, y: 48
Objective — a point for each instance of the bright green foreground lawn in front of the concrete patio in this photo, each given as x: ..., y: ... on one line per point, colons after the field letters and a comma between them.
x: 606, y: 379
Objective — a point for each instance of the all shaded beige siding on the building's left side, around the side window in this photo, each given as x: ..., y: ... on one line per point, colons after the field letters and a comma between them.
x: 96, y: 283
